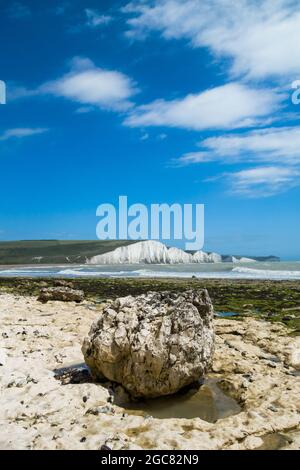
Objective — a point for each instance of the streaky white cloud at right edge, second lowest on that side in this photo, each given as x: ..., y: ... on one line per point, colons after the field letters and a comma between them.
x: 265, y: 145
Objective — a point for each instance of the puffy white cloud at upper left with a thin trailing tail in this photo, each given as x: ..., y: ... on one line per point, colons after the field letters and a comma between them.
x: 89, y: 86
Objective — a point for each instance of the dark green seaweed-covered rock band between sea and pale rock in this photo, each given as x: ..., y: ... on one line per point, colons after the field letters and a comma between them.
x: 270, y: 300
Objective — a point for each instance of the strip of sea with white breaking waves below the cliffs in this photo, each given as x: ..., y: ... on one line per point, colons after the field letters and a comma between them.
x: 283, y: 270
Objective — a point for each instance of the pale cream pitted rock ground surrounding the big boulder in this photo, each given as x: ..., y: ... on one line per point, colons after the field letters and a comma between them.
x: 49, y: 401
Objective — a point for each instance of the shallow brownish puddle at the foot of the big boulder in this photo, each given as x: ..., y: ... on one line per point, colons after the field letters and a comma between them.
x: 208, y: 402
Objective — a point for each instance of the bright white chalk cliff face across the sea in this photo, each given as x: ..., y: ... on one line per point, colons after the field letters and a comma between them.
x: 153, y: 252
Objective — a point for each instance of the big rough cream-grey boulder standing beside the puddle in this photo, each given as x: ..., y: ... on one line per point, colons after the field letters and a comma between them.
x: 153, y: 344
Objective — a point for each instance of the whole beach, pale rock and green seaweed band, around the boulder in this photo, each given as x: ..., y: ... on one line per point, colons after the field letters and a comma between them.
x: 250, y: 399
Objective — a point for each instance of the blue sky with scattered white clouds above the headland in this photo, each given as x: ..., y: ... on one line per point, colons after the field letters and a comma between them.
x: 162, y: 101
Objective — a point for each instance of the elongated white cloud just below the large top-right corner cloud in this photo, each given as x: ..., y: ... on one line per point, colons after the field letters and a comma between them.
x: 229, y: 106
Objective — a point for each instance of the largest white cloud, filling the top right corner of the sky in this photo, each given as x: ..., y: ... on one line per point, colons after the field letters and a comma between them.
x: 261, y: 37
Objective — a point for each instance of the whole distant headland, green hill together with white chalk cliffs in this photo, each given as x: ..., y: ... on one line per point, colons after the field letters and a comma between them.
x: 109, y: 252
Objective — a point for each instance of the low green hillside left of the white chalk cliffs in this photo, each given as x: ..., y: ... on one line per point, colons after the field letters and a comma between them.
x: 54, y: 251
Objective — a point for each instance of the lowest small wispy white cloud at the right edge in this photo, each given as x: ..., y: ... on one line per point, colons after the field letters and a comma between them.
x: 263, y: 181
